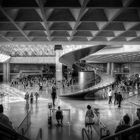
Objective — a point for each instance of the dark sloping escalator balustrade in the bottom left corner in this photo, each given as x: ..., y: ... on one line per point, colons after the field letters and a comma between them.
x: 7, y: 132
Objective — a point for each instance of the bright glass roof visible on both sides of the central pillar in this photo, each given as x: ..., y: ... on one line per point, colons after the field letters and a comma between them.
x: 35, y: 49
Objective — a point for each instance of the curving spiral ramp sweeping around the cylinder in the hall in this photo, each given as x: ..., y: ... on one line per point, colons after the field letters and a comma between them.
x: 105, y: 79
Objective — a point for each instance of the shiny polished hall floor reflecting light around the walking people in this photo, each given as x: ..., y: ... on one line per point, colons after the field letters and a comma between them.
x: 110, y: 115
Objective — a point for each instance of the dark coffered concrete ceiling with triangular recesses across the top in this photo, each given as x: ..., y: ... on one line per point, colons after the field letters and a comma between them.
x: 70, y: 21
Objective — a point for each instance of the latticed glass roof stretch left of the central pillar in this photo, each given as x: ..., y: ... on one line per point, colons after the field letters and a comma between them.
x: 27, y: 50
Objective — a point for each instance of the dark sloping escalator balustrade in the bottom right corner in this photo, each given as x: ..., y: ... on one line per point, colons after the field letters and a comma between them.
x: 132, y: 131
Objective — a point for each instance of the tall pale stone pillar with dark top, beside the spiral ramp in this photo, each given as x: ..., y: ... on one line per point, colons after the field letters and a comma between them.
x: 58, y: 50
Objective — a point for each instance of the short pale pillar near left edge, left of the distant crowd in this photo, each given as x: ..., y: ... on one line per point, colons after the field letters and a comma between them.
x: 6, y: 72
